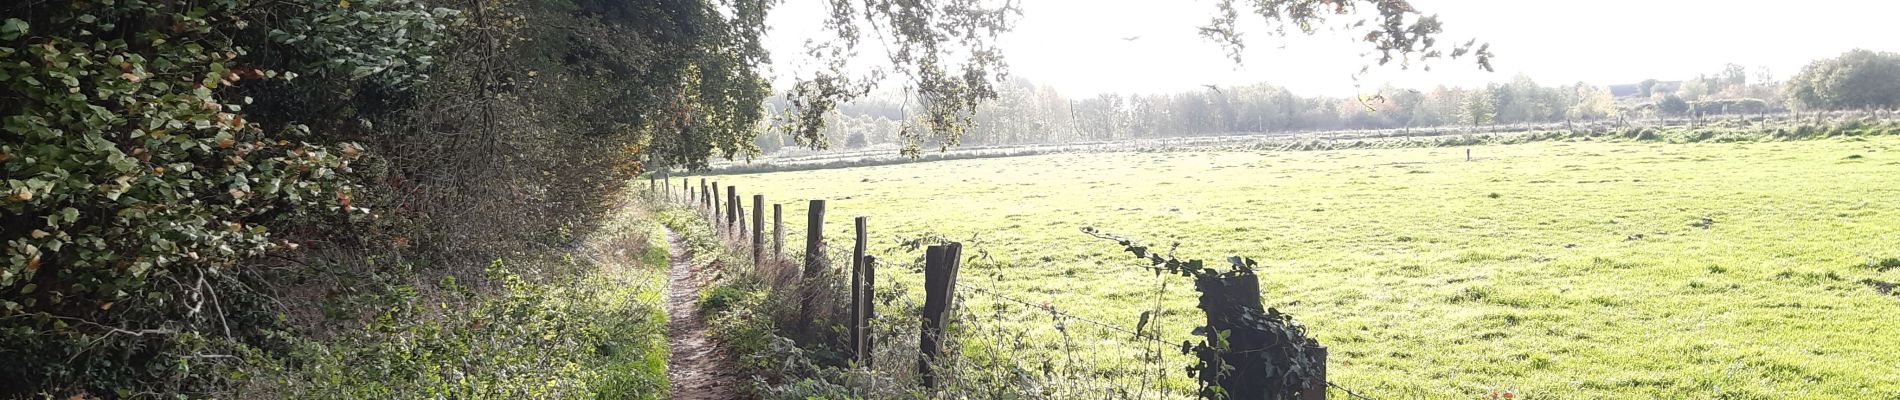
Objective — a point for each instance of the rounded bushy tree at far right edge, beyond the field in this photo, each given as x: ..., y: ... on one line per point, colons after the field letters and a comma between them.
x: 1859, y: 79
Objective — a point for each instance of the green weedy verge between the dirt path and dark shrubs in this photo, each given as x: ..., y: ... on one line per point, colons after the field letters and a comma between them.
x: 584, y: 323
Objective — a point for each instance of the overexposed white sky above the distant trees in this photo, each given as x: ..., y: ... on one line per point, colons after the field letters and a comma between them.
x: 1076, y: 45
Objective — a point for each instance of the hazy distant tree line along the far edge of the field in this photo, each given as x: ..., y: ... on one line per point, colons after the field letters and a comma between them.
x: 1025, y: 113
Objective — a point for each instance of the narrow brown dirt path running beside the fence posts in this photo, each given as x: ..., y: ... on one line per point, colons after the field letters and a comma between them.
x: 698, y: 367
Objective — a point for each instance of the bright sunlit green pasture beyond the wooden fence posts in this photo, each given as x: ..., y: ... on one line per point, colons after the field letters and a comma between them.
x: 1563, y: 270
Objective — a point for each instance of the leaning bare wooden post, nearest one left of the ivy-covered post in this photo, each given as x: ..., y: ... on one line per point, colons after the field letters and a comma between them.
x: 940, y: 295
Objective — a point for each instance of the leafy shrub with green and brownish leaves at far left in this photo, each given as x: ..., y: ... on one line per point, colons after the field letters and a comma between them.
x: 138, y: 181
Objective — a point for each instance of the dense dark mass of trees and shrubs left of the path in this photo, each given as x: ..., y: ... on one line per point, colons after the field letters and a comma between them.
x: 200, y: 191
